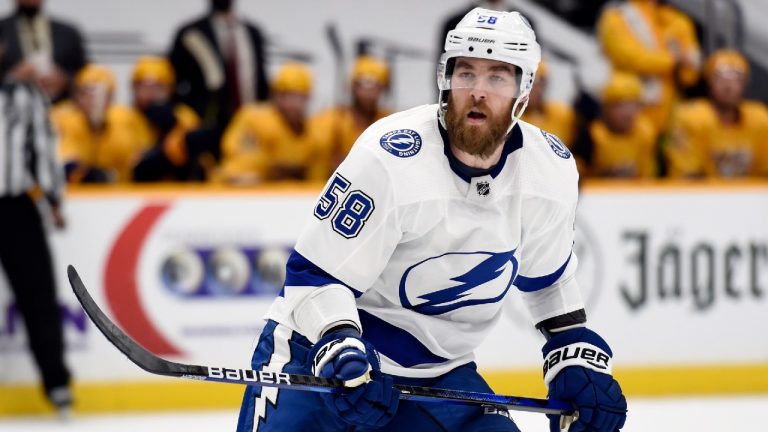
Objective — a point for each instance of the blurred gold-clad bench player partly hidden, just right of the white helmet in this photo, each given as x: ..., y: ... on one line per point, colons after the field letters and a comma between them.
x: 554, y: 117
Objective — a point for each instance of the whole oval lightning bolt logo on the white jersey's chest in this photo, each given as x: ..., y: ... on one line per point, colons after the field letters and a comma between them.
x: 458, y: 279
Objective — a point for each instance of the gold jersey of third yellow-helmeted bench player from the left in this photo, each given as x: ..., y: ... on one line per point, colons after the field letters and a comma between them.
x: 258, y: 145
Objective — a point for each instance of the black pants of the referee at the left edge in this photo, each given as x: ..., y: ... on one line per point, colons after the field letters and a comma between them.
x: 26, y: 259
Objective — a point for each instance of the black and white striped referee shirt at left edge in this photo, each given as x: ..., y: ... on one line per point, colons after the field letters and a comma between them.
x: 28, y: 154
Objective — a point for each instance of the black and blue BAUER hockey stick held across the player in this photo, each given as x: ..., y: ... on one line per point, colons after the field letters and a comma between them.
x: 158, y: 366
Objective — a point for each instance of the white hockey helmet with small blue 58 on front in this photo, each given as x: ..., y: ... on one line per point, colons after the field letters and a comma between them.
x: 488, y: 34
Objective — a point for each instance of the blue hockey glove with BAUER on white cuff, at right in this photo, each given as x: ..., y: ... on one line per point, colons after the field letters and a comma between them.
x: 577, y: 369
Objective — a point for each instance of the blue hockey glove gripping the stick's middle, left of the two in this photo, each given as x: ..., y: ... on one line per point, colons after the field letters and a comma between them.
x: 369, y: 399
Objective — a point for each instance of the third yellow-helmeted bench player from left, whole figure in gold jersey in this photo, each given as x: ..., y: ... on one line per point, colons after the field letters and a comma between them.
x: 274, y: 141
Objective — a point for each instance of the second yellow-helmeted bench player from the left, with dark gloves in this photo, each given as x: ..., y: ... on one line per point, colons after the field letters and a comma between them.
x: 161, y: 125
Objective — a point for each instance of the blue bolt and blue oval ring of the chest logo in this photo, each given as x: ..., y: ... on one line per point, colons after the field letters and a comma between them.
x: 448, y: 299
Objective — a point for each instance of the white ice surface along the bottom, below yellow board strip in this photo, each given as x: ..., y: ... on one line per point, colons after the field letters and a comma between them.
x: 733, y: 414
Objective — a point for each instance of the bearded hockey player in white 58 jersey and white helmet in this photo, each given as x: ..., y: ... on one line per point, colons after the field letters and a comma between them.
x: 435, y: 216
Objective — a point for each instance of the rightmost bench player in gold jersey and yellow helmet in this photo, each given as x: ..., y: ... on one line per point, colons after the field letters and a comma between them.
x: 722, y: 135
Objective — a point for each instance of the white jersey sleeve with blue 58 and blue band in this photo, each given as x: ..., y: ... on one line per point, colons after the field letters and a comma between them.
x: 343, y: 248
